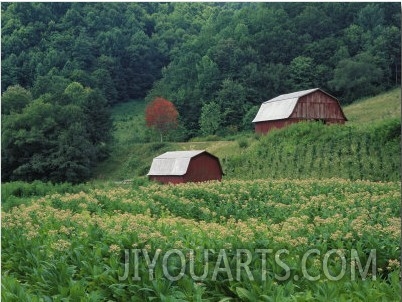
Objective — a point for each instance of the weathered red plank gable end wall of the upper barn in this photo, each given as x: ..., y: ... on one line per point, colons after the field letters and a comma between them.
x: 318, y: 105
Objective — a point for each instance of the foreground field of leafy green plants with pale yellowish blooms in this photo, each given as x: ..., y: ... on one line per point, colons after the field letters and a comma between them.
x: 265, y: 240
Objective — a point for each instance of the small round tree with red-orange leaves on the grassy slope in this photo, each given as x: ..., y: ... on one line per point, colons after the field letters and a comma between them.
x: 162, y: 115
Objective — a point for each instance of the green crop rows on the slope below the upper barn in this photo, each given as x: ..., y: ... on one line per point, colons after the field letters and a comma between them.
x: 311, y: 150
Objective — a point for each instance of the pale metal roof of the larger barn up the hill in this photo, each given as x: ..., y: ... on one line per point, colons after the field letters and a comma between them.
x: 280, y: 107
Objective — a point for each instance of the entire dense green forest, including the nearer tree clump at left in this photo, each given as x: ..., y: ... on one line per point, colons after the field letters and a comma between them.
x: 64, y: 64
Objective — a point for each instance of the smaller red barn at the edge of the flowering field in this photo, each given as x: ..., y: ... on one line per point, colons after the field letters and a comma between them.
x: 185, y: 166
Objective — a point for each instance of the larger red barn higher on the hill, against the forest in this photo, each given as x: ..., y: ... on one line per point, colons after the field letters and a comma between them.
x: 306, y: 105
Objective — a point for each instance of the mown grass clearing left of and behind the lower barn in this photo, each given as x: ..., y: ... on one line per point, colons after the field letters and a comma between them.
x: 135, y: 145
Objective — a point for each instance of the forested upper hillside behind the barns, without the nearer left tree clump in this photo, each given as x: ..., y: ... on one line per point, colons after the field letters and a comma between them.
x: 235, y: 54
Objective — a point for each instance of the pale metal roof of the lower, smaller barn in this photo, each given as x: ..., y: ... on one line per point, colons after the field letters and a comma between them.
x: 172, y: 163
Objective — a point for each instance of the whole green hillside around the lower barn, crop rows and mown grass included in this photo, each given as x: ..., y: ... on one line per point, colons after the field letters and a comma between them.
x: 367, y: 147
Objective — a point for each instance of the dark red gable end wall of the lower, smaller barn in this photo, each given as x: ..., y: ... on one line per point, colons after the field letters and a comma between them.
x: 203, y: 167
